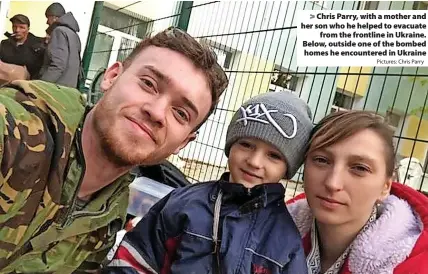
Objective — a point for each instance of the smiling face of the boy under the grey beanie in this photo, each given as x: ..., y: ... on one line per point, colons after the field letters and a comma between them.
x: 253, y: 162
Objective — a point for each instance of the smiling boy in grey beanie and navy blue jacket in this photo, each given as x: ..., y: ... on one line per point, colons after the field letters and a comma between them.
x: 238, y: 224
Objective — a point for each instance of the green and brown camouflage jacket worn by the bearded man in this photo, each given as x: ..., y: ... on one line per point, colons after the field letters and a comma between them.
x: 42, y: 165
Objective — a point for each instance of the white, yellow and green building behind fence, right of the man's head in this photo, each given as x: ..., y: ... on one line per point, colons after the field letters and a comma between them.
x: 256, y: 43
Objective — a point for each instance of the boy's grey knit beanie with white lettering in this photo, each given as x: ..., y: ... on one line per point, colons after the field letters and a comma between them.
x: 279, y: 118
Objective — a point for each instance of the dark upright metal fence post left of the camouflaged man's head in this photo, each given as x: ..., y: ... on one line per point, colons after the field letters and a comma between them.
x: 86, y: 60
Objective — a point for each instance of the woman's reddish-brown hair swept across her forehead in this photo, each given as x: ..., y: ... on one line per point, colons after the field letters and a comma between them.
x: 343, y: 124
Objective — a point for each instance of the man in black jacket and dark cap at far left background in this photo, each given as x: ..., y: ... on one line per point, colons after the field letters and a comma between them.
x: 22, y: 48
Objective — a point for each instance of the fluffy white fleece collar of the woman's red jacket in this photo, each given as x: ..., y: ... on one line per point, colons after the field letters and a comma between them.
x: 382, y: 247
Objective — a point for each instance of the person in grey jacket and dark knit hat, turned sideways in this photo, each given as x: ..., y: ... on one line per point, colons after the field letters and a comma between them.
x: 62, y: 63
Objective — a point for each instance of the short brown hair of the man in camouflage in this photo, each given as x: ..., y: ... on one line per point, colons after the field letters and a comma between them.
x: 201, y: 56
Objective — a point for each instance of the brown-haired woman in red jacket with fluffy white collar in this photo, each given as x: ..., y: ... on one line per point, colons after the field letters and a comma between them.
x: 352, y: 217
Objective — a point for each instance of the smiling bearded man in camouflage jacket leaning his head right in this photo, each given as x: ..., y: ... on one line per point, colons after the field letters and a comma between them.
x: 64, y: 167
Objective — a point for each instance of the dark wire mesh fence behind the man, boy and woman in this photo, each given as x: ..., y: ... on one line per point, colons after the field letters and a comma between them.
x: 255, y: 42
